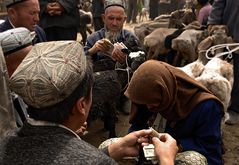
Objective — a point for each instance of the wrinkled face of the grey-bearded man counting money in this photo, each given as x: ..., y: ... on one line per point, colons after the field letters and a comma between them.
x: 114, y: 18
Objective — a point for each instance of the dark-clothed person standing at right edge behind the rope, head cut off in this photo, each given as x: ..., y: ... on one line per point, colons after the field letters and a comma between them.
x: 226, y: 12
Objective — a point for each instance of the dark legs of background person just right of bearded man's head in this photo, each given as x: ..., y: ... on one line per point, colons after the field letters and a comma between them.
x: 132, y: 11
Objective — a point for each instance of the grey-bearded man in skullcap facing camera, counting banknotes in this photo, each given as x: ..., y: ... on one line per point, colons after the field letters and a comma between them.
x: 106, y: 42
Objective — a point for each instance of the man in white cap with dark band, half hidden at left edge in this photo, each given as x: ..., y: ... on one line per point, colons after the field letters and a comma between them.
x: 16, y: 44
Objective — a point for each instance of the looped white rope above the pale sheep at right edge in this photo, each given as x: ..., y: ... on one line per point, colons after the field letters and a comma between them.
x: 220, y: 46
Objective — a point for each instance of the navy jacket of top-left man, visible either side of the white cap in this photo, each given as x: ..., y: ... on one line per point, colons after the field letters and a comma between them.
x: 40, y: 34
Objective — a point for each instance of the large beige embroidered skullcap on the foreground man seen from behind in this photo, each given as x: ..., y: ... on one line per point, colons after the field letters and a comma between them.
x: 49, y: 73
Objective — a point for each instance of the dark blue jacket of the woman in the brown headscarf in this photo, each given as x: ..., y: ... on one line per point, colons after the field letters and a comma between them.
x: 200, y: 131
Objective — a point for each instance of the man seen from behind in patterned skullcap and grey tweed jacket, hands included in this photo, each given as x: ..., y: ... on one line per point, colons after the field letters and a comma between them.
x: 55, y: 79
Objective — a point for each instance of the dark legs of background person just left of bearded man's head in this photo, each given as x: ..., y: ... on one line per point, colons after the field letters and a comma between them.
x: 97, y: 11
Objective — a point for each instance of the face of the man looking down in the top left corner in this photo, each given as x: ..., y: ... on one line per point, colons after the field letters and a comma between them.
x: 25, y: 14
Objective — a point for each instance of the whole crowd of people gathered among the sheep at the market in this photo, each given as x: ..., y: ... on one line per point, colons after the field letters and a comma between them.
x: 46, y: 80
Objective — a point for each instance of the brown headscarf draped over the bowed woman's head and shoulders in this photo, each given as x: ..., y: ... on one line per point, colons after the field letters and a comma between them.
x: 158, y: 82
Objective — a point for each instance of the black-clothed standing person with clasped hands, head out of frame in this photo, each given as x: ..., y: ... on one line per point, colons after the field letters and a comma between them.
x: 60, y: 19
